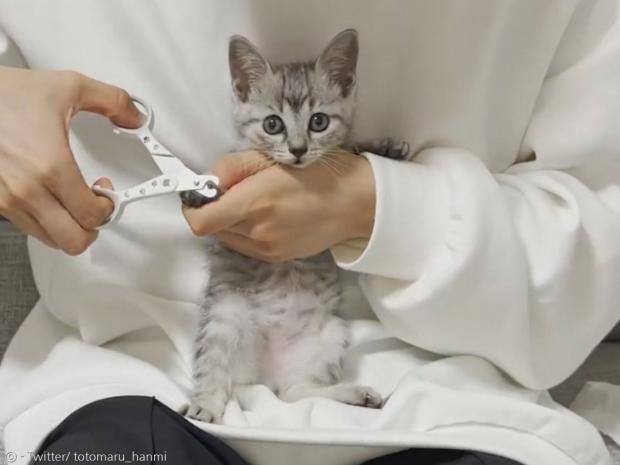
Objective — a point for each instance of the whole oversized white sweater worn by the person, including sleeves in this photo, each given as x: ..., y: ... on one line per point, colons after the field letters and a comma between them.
x: 493, y: 266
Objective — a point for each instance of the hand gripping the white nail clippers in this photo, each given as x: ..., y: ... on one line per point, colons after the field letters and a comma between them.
x: 42, y: 191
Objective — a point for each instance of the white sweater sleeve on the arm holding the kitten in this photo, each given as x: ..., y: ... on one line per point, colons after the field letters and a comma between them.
x: 520, y: 267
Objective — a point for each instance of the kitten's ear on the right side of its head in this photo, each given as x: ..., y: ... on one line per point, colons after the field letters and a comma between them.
x: 339, y: 60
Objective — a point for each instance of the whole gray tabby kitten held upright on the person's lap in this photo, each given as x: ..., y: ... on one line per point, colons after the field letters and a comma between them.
x: 275, y: 323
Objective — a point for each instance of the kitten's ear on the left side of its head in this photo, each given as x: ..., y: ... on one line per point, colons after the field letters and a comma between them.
x: 247, y: 66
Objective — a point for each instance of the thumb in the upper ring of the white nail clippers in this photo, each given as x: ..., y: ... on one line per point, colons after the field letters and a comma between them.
x: 110, y: 101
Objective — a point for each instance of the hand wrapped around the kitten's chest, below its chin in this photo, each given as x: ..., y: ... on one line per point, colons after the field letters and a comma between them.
x: 277, y: 213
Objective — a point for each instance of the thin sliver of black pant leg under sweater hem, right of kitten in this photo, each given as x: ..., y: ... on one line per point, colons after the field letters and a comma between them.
x: 440, y: 457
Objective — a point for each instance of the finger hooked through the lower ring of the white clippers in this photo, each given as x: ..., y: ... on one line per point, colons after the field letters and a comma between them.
x: 69, y: 187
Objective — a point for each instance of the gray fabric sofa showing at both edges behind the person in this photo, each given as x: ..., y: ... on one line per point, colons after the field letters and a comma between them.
x: 18, y: 295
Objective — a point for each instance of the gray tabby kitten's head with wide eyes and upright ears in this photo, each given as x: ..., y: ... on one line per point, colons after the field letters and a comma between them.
x: 294, y: 112
